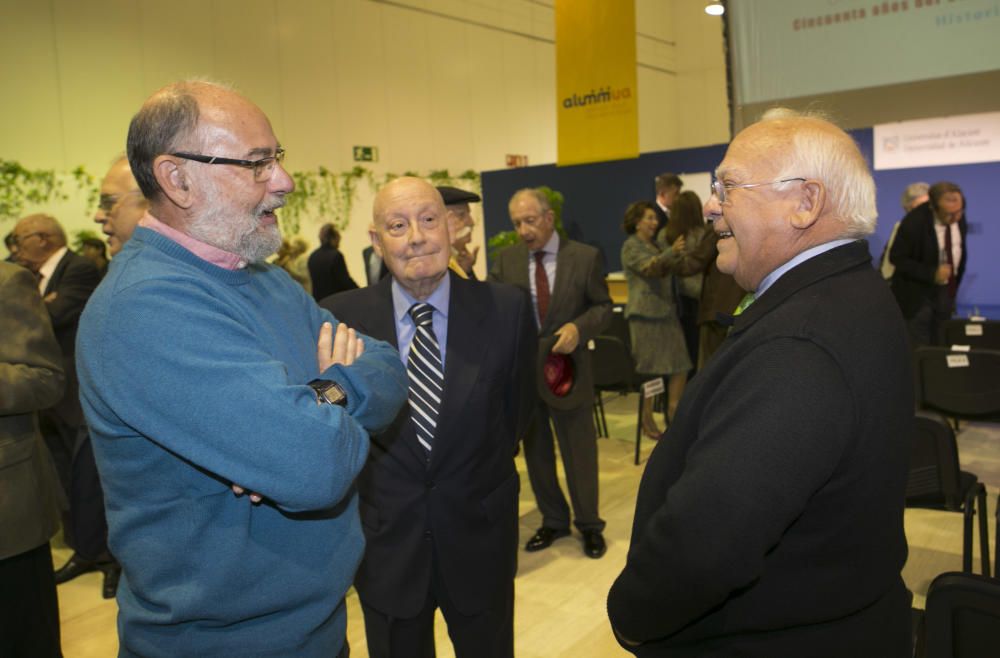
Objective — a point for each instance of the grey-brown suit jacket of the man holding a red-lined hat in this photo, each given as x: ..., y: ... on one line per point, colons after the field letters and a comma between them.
x: 580, y: 296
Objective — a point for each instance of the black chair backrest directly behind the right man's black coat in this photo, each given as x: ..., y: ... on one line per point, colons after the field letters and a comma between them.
x: 934, y: 466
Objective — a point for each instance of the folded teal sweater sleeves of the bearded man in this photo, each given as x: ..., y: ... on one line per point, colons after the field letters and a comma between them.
x: 219, y: 398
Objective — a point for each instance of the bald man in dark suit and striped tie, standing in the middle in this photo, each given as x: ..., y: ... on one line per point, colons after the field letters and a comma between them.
x: 438, y: 495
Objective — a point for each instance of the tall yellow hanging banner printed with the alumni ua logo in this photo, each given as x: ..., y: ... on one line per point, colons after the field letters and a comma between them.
x: 596, y: 94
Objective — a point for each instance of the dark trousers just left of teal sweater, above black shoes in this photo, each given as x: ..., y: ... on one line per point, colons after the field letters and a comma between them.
x: 86, y: 523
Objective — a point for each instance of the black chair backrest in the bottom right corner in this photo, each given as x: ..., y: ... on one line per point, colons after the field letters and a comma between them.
x: 962, y: 619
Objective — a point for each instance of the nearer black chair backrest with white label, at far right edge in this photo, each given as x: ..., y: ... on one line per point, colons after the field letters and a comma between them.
x: 959, y: 384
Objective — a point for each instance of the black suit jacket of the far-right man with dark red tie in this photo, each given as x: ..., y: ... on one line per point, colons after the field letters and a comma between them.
x: 916, y: 255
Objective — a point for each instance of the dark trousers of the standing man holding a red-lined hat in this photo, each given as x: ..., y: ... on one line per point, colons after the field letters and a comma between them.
x: 578, y: 447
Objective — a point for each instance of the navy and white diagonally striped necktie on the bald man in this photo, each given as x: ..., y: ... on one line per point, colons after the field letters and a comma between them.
x: 426, y: 375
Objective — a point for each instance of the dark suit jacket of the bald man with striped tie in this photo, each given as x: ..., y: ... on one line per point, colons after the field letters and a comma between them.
x: 462, y: 504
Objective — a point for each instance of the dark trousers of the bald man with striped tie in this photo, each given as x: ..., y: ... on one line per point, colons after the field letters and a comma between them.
x: 486, y: 634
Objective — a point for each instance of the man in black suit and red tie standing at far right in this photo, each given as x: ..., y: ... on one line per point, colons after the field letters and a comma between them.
x: 929, y: 256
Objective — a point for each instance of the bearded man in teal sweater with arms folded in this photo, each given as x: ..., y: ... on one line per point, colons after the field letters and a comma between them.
x: 206, y: 373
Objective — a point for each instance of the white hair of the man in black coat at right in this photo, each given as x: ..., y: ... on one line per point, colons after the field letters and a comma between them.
x: 822, y: 151
